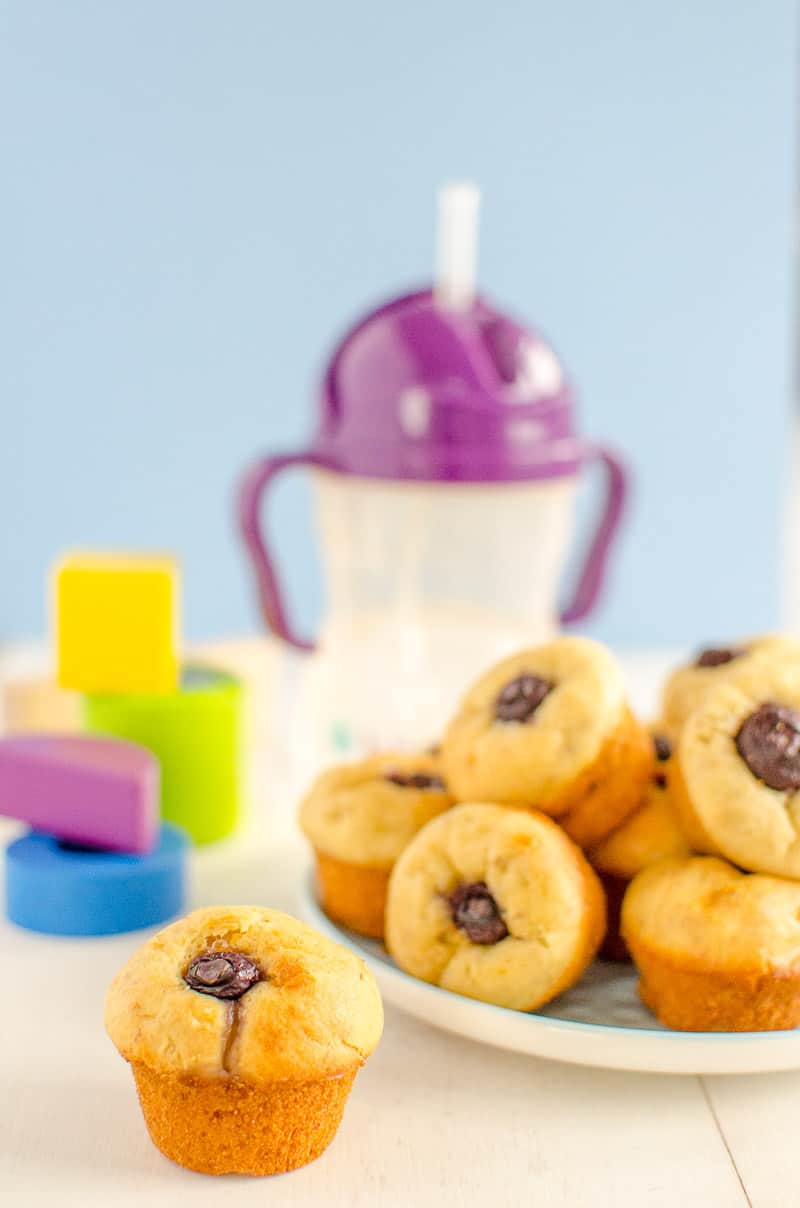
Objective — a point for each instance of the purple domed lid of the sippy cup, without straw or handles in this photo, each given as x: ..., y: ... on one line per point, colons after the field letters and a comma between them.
x: 425, y: 393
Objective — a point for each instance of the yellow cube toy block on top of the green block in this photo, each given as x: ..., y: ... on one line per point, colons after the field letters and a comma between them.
x: 117, y: 623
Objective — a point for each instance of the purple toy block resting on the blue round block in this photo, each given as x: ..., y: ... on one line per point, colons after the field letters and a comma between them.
x: 95, y: 792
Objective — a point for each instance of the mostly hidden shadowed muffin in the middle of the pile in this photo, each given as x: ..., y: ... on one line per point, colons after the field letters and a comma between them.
x: 651, y: 834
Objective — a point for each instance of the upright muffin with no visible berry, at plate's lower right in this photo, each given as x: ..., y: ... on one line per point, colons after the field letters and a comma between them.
x: 717, y: 950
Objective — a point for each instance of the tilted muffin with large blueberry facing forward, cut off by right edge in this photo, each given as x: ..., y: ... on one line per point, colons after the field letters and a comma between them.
x: 737, y: 779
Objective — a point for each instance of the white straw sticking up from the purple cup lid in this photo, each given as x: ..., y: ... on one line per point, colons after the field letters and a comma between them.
x: 457, y: 246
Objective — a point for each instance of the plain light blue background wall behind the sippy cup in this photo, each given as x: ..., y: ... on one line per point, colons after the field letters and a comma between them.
x: 196, y: 198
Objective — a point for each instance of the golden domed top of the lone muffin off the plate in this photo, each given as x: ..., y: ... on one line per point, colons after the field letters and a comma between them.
x: 316, y: 1014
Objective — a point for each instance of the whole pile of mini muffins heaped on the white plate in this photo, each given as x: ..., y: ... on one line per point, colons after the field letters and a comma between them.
x: 550, y: 824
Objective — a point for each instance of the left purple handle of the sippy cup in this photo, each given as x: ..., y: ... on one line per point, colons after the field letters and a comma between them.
x: 251, y: 496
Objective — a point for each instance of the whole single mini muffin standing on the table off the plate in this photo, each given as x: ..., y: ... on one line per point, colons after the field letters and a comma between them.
x: 245, y: 1030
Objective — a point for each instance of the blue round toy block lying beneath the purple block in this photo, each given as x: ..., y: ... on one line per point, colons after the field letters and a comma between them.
x: 62, y: 890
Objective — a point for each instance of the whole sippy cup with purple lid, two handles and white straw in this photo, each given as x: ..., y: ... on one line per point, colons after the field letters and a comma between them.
x: 445, y: 469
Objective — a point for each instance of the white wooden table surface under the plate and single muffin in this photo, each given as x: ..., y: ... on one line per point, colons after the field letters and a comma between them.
x: 433, y: 1120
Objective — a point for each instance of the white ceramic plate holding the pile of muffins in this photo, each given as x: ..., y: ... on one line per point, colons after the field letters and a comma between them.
x: 600, y: 1023
